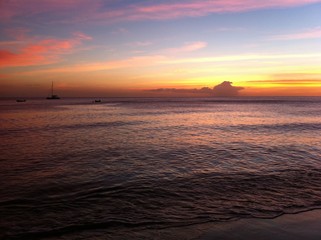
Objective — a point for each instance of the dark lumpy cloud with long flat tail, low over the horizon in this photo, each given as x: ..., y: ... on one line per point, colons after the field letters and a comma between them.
x: 225, y: 89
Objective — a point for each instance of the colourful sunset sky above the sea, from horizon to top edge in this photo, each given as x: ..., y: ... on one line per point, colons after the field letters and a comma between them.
x: 122, y: 48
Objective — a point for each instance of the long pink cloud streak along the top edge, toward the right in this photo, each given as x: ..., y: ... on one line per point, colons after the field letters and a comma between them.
x: 194, y: 9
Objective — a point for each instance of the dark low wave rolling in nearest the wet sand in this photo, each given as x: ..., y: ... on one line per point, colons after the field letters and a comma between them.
x: 145, y: 202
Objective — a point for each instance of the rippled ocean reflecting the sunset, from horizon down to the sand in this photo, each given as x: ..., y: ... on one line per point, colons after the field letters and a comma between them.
x: 74, y: 169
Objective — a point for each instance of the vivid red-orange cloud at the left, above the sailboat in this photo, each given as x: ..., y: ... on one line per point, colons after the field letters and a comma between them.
x: 41, y: 52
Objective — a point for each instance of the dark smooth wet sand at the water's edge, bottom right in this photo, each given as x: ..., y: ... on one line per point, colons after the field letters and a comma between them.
x: 304, y: 225
